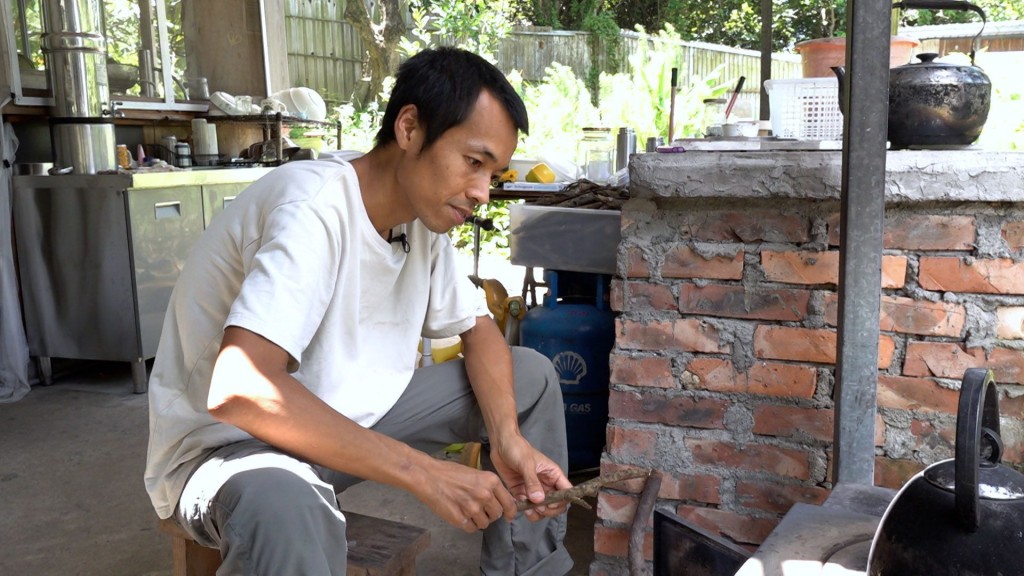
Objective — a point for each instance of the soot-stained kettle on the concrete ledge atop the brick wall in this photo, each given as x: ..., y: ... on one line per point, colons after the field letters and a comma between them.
x: 934, y: 104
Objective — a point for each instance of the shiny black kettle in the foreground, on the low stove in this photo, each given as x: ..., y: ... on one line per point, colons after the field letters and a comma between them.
x: 961, y: 517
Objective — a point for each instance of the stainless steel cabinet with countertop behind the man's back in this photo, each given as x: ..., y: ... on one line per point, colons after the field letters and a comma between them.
x: 99, y: 257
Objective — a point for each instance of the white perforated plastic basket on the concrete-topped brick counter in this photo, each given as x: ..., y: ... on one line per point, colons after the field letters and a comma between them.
x: 805, y: 109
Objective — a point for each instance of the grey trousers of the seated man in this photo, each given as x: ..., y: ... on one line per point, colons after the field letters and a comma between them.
x: 273, y: 515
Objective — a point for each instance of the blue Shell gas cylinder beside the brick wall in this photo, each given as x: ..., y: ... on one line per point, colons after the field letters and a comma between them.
x: 577, y: 331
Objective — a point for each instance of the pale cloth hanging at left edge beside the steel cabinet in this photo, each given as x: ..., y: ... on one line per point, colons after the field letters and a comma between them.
x: 14, y: 349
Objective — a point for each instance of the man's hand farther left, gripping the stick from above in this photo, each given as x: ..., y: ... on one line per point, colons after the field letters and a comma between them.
x: 465, y: 498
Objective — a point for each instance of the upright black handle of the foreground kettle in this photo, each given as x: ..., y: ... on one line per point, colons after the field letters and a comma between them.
x: 977, y: 415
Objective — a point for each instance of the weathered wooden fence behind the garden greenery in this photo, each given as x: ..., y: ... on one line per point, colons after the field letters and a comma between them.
x: 326, y: 55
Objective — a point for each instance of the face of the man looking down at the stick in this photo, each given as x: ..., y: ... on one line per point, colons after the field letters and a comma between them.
x: 446, y: 182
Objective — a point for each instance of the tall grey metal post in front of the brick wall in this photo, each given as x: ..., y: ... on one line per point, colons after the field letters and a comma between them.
x: 867, y: 106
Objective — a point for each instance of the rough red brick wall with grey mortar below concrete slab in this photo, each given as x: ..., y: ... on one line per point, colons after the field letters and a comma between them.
x: 723, y: 372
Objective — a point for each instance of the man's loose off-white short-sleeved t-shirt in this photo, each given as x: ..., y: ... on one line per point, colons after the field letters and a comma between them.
x: 296, y: 260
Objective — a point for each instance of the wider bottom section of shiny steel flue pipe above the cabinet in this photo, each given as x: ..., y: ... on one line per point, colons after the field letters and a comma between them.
x: 89, y: 148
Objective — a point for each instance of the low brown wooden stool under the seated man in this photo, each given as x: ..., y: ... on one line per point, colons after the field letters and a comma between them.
x: 376, y: 548
